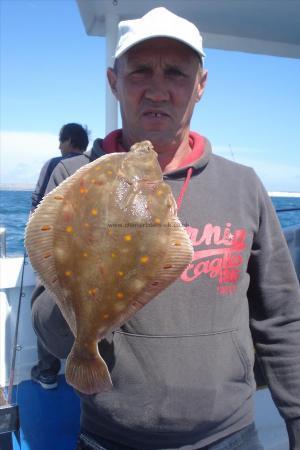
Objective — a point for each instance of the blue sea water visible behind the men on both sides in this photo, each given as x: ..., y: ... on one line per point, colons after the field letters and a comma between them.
x: 15, y: 207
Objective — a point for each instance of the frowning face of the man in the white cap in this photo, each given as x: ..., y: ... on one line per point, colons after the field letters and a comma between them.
x: 157, y: 84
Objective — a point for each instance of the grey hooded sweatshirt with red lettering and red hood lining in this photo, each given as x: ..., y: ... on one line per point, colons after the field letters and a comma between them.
x: 182, y: 367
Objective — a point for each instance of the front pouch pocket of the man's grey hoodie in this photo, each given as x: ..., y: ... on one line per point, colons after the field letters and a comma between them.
x: 173, y: 383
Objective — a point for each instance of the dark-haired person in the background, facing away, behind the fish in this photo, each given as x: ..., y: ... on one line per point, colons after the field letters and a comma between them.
x: 73, y: 141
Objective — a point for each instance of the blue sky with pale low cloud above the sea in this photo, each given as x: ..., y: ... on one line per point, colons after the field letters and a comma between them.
x: 52, y: 73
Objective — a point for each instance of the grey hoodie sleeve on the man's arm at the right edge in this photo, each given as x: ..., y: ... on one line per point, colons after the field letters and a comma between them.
x: 274, y: 301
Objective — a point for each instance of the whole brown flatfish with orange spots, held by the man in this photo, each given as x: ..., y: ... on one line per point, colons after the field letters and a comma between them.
x: 104, y: 243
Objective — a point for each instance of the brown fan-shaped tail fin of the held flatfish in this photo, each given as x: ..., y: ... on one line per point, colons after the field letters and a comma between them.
x: 86, y: 371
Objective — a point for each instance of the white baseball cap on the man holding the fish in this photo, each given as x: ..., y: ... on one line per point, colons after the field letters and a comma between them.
x: 159, y: 22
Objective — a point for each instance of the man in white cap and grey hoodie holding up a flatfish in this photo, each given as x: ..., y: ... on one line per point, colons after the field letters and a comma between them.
x: 182, y: 367
